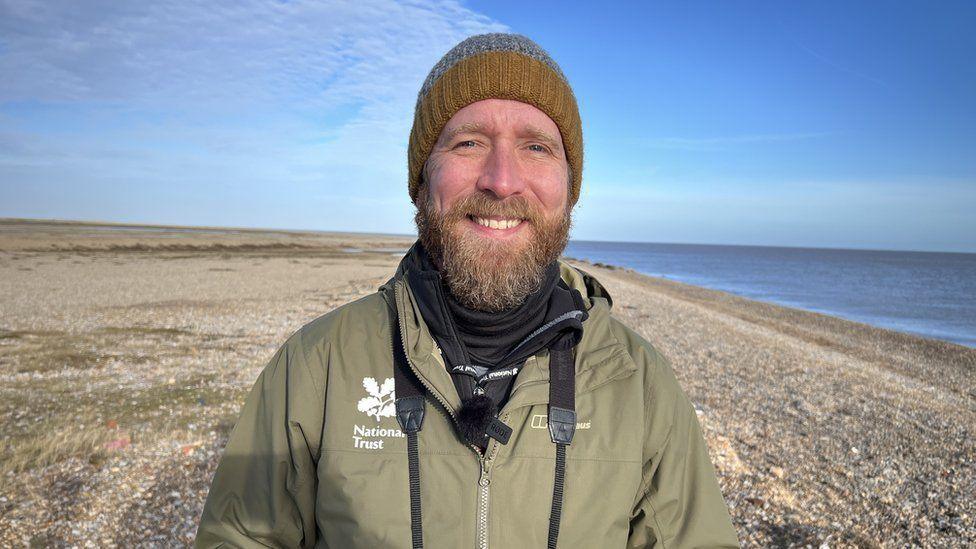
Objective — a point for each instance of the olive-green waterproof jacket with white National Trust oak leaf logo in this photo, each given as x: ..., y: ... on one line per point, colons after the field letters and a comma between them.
x: 318, y: 459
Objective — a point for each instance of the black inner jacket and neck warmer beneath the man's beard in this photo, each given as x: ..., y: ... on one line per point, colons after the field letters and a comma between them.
x: 484, y: 351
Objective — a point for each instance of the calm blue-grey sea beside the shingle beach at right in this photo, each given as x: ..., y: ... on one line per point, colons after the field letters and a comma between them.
x: 931, y: 294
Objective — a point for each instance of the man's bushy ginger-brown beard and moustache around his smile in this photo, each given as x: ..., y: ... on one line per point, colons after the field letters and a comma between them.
x: 483, y: 274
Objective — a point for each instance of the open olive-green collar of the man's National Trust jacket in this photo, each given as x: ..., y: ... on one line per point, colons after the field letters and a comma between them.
x: 600, y: 358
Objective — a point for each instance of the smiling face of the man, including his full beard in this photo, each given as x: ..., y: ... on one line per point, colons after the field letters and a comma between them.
x: 493, y: 208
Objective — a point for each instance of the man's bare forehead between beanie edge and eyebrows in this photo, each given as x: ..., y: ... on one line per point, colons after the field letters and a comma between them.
x: 500, y: 115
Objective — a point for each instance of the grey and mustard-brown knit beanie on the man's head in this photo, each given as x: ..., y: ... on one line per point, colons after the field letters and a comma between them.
x: 501, y: 66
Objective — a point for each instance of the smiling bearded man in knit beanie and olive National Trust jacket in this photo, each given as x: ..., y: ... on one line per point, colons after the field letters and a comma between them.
x: 484, y: 396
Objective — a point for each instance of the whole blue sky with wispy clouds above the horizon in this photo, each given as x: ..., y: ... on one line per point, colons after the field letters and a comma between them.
x: 805, y: 124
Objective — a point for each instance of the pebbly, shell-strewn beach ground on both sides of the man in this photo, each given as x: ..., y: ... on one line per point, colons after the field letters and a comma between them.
x: 125, y: 354
